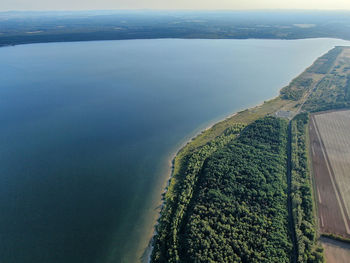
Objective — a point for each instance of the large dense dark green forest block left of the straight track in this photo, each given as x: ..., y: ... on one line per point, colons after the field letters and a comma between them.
x: 237, y: 210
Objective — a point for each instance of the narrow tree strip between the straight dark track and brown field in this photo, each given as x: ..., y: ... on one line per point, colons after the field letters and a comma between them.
x: 302, y: 199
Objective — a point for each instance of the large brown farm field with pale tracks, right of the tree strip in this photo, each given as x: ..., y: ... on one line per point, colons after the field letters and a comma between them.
x: 330, y: 151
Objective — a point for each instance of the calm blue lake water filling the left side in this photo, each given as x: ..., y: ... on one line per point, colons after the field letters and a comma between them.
x: 88, y: 128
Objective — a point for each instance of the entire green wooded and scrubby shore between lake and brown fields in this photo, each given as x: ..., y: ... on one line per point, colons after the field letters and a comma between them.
x: 228, y: 197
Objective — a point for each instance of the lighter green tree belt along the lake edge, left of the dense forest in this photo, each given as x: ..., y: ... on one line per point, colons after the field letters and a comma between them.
x: 180, y: 192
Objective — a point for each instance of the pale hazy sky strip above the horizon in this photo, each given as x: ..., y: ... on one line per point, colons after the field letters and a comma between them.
x: 171, y: 4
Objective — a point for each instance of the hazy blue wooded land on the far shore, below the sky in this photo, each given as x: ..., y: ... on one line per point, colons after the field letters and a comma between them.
x: 43, y: 27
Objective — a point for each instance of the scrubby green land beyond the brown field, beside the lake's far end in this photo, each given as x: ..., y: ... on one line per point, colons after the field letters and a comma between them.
x: 325, y: 85
